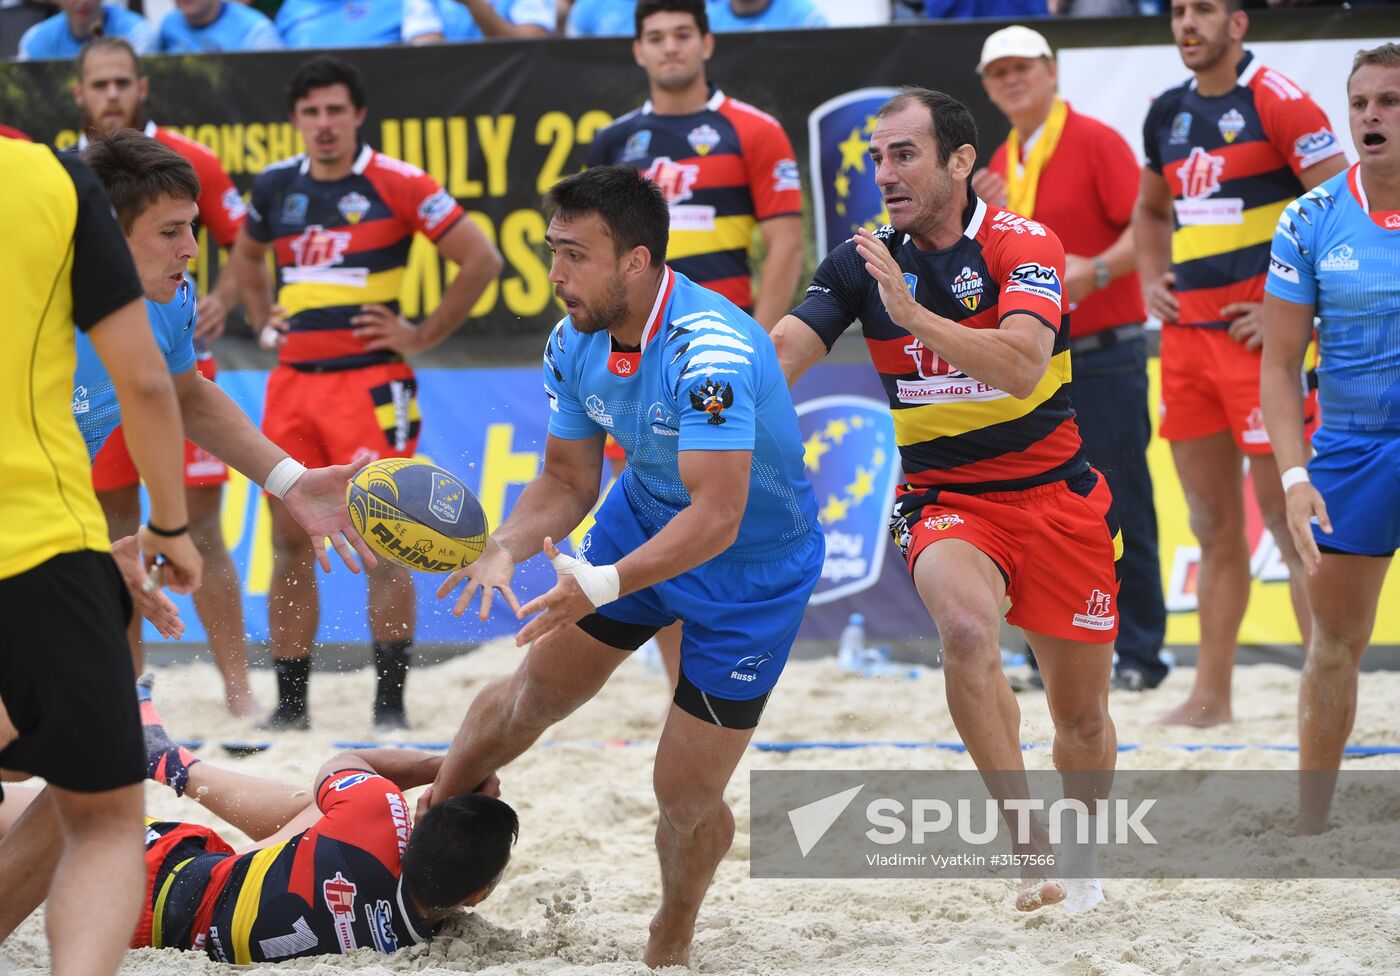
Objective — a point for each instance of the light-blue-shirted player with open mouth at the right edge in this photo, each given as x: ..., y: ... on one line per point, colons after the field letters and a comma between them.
x: 1338, y: 257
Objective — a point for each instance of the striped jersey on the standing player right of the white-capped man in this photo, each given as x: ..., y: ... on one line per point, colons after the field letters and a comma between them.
x: 1233, y: 163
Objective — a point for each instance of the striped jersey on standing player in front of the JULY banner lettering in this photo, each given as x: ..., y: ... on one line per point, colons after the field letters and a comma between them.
x: 342, y: 244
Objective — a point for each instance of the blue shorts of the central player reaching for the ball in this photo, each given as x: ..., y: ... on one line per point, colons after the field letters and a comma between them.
x: 740, y: 618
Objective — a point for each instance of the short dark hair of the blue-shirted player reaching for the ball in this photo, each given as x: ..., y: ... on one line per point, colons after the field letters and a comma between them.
x: 631, y: 205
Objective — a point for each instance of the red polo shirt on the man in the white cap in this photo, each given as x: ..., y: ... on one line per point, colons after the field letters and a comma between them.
x: 1087, y: 195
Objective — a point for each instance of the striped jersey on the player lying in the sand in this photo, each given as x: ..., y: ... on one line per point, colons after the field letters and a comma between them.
x: 332, y: 888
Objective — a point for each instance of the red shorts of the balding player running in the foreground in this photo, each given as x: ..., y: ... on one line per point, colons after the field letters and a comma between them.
x: 1056, y: 545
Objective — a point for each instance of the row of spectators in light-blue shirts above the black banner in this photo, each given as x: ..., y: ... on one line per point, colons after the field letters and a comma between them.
x: 58, y: 29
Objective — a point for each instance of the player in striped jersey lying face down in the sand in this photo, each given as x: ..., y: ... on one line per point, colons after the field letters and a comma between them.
x: 331, y: 869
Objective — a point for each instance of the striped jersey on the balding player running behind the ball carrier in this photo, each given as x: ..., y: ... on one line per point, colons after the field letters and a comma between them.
x: 953, y: 431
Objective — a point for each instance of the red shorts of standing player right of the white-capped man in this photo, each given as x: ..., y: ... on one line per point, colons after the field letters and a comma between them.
x: 1210, y: 383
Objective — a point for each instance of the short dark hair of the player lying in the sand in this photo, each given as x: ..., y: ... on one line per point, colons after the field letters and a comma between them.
x: 460, y: 848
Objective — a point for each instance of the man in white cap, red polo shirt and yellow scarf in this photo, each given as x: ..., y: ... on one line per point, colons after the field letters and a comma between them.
x: 1079, y: 177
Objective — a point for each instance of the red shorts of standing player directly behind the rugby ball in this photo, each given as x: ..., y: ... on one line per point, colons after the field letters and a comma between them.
x: 327, y: 418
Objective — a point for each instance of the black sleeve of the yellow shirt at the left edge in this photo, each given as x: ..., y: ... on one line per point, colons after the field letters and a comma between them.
x: 104, y: 275
